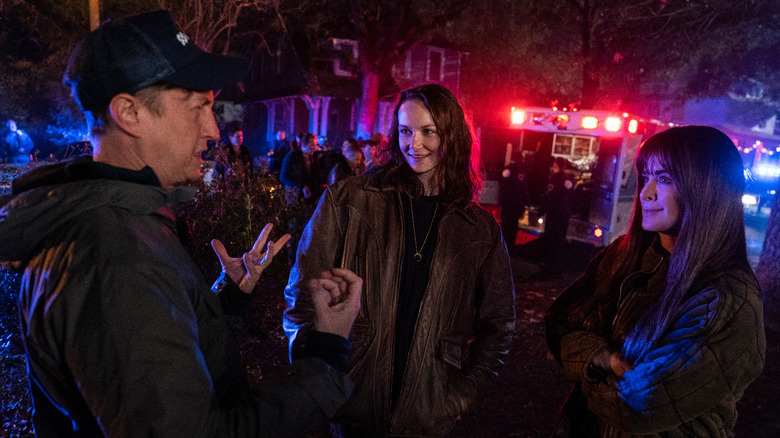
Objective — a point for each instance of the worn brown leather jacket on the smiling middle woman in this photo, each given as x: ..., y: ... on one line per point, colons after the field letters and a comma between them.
x: 466, y: 319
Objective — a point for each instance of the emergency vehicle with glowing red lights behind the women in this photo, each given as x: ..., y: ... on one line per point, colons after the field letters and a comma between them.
x: 600, y: 148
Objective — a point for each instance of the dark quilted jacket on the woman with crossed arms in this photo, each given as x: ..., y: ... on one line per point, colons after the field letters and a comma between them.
x: 689, y: 383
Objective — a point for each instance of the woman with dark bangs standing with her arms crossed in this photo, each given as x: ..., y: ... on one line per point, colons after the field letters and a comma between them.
x: 664, y: 330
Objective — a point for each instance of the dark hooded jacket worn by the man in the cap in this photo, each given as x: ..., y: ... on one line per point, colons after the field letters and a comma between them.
x: 123, y: 336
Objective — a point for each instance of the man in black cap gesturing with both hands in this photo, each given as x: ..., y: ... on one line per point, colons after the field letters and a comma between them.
x: 123, y: 337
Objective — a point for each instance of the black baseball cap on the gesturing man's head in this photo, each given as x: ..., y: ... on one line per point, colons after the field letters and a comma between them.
x: 127, y: 55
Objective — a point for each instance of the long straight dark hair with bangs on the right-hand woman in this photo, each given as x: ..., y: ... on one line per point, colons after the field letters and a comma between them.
x: 708, y: 173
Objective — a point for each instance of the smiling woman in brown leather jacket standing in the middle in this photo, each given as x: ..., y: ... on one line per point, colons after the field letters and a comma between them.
x: 438, y: 307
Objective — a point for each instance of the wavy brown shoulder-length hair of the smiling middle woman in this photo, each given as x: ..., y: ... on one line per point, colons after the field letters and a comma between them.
x: 458, y: 173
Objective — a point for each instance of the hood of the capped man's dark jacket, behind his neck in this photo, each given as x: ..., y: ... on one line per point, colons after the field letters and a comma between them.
x: 49, y: 196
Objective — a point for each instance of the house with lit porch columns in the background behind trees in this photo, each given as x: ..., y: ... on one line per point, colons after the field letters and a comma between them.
x: 320, y: 93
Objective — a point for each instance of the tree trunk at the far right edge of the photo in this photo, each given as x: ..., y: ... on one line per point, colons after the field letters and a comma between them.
x: 768, y: 269
